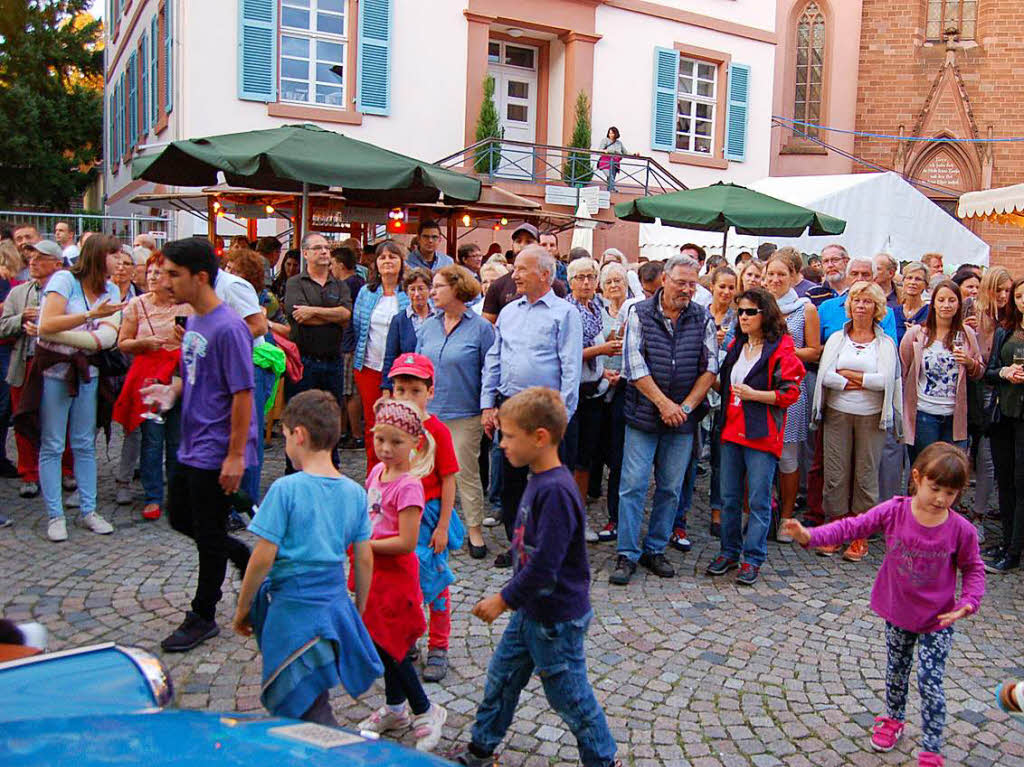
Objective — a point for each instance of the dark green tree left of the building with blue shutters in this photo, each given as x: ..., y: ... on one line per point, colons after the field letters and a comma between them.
x: 52, y: 101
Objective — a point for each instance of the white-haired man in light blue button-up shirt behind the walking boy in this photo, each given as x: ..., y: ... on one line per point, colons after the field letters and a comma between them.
x: 538, y: 343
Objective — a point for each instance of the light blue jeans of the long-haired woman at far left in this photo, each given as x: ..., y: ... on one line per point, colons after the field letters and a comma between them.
x: 62, y: 415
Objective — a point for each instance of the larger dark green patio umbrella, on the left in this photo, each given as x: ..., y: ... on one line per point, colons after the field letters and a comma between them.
x: 302, y: 159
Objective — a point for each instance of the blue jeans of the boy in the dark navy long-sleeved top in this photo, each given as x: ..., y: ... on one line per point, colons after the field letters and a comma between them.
x: 557, y: 653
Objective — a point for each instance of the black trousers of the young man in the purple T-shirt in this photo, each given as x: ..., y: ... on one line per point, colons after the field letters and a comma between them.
x: 199, y: 508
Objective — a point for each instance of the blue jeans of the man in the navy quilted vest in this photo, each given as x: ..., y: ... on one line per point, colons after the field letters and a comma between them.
x: 669, y: 454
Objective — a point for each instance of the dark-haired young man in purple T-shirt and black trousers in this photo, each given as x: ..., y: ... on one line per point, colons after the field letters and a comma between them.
x: 219, y: 431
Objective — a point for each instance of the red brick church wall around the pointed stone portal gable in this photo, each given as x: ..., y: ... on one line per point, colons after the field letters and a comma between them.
x: 898, y: 72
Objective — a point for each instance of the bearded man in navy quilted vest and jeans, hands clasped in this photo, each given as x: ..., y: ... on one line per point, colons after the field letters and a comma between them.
x: 670, y: 357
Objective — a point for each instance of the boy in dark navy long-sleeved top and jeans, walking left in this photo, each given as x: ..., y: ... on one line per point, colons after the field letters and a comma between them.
x: 549, y: 591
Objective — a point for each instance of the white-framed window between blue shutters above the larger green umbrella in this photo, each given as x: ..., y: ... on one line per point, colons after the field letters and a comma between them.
x: 313, y: 52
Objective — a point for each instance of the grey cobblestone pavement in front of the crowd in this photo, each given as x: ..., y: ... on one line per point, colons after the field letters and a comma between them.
x: 691, y: 671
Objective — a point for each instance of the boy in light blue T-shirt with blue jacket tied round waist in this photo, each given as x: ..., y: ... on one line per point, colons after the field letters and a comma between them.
x: 293, y: 595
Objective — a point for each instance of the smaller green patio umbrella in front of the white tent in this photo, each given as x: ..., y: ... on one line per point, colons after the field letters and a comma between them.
x: 721, y: 206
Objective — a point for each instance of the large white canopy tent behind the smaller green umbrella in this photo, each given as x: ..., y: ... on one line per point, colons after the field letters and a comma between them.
x: 883, y: 212
